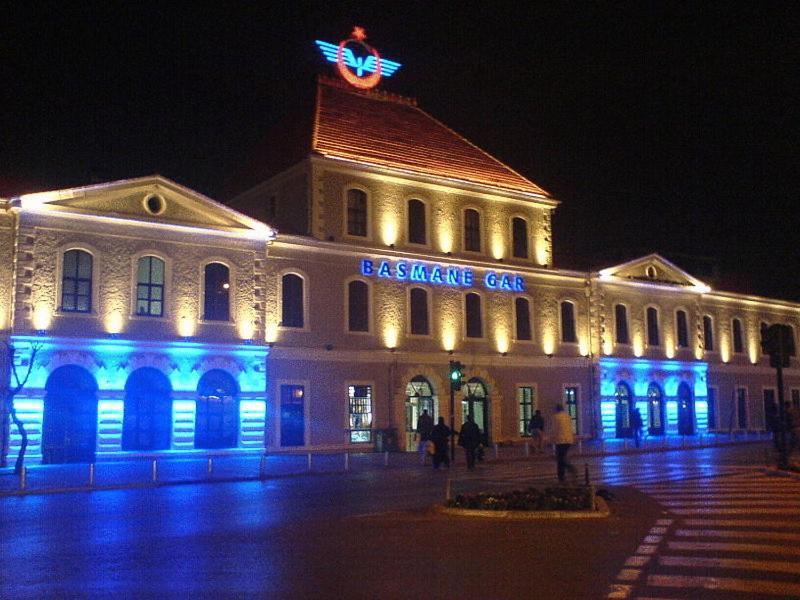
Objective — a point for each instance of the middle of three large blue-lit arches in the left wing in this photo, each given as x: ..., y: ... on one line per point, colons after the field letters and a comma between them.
x: 147, y: 421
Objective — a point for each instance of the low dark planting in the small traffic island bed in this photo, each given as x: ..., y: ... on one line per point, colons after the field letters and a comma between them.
x: 531, y: 499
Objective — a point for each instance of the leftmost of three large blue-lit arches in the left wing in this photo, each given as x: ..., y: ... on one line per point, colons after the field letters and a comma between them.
x: 69, y: 428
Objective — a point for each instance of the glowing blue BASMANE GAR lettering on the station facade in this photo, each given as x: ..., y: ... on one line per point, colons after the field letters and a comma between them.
x: 418, y: 272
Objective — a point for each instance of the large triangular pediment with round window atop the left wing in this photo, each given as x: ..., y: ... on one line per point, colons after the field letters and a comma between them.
x: 149, y: 199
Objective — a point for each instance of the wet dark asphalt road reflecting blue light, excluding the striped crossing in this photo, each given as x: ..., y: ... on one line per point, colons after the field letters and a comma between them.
x: 360, y: 535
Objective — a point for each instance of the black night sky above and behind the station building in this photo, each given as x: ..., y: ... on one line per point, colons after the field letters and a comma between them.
x: 661, y: 127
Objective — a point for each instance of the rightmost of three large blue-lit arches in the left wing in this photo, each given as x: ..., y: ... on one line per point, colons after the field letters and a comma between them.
x: 217, y: 417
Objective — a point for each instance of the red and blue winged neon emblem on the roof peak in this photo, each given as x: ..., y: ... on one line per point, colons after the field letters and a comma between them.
x: 347, y: 61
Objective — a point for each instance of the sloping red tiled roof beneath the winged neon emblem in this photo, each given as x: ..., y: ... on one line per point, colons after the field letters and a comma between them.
x: 384, y: 129
